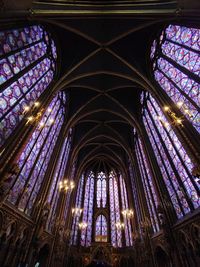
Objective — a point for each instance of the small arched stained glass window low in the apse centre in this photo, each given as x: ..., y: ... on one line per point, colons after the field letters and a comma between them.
x: 101, y: 229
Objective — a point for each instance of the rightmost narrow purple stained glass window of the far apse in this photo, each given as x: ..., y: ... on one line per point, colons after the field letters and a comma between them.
x: 125, y: 206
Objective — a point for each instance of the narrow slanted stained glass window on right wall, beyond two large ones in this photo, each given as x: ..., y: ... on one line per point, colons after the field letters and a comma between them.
x: 149, y: 188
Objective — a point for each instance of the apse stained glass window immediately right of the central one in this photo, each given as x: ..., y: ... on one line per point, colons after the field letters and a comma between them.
x: 116, y: 234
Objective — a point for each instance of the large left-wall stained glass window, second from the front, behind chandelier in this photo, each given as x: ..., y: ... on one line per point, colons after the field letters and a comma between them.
x: 35, y: 157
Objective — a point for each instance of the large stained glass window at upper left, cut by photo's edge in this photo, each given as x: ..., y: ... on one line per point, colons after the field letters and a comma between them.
x: 27, y: 66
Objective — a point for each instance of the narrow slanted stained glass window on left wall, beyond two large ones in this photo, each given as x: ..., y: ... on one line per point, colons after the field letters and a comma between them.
x: 58, y: 176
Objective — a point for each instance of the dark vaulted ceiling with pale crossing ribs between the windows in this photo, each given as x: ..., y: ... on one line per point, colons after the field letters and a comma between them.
x: 104, y: 66
